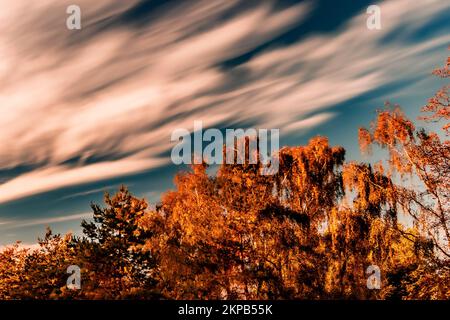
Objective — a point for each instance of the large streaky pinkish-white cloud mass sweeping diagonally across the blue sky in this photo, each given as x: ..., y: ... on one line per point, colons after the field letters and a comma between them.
x: 83, y: 106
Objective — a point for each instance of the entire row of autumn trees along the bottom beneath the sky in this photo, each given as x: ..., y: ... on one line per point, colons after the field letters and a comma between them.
x: 308, y: 232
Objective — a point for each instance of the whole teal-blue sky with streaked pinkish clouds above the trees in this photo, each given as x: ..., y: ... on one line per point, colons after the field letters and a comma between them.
x: 84, y: 111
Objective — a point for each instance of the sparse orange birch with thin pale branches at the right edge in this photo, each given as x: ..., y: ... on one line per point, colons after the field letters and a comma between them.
x: 420, y: 164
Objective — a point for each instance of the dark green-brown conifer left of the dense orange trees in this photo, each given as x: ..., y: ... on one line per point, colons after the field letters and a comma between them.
x: 110, y: 253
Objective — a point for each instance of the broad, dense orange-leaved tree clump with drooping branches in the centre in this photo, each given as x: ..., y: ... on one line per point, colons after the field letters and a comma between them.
x: 243, y: 235
